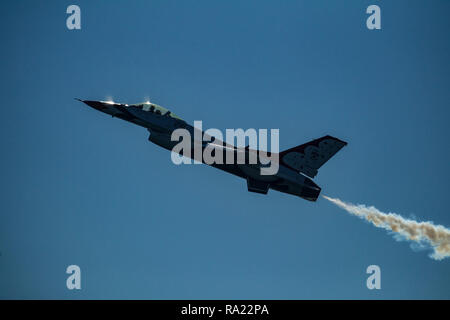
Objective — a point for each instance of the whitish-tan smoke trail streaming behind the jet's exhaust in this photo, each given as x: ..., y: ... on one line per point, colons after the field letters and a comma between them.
x: 423, y: 233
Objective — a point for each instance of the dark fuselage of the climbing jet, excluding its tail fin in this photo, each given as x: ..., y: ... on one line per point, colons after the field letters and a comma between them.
x: 161, y: 123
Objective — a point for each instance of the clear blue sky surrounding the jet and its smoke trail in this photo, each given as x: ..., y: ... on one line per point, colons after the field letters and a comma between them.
x: 78, y: 187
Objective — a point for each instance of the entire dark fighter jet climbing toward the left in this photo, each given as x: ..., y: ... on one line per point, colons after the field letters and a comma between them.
x: 296, y: 166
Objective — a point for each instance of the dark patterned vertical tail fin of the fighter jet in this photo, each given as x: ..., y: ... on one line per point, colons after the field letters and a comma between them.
x: 309, y: 157
